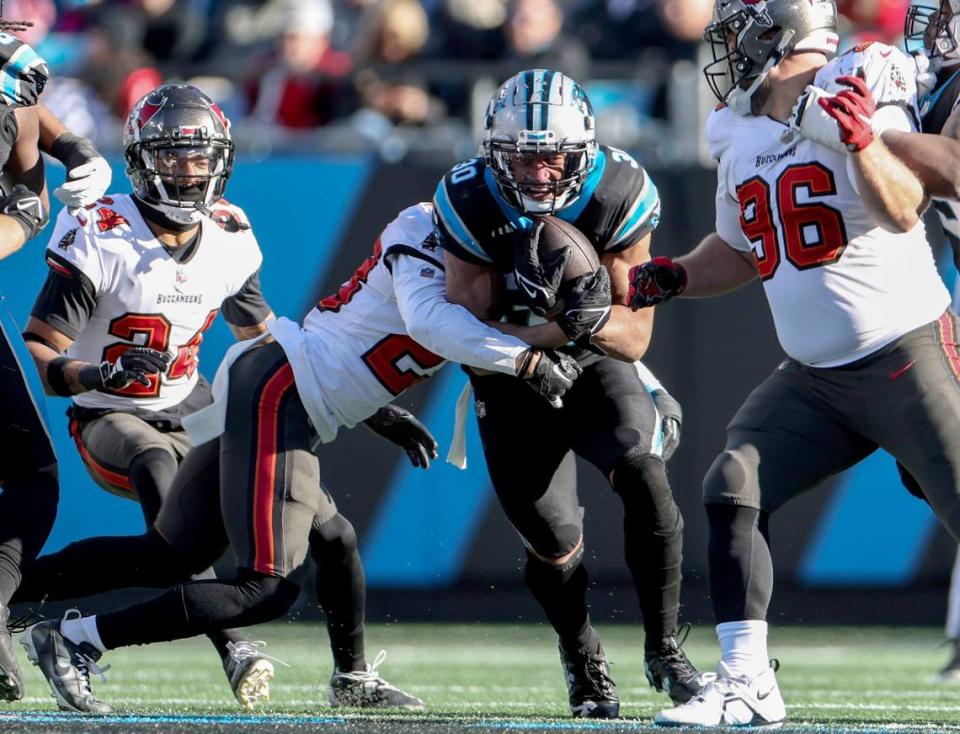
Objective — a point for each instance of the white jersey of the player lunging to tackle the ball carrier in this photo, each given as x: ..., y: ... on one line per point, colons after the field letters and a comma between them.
x: 381, y: 331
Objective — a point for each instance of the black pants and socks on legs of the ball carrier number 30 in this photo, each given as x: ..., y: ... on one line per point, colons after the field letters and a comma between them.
x: 609, y: 419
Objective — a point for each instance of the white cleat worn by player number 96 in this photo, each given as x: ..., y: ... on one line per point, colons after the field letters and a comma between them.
x: 732, y: 701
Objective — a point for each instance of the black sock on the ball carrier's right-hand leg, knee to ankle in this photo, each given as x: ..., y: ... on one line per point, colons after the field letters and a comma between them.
x: 653, y: 542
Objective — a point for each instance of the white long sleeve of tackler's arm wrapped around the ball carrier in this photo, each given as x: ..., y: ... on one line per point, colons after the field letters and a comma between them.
x: 444, y: 328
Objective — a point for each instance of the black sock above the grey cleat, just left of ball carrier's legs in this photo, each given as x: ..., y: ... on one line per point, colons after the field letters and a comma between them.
x: 341, y: 589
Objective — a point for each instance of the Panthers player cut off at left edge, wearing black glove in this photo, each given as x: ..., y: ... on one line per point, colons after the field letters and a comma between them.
x: 28, y: 466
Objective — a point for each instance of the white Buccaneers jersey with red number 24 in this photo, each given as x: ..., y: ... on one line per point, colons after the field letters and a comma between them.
x: 144, y: 297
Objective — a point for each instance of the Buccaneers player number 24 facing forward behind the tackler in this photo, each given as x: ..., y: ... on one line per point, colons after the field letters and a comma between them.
x: 134, y: 282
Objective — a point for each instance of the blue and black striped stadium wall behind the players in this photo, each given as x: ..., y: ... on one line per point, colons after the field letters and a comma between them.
x: 439, y: 534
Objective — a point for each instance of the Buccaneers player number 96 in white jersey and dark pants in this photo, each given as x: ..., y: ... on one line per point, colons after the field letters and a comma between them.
x: 812, y: 201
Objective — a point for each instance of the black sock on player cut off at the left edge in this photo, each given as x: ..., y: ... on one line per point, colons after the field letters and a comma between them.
x: 28, y: 507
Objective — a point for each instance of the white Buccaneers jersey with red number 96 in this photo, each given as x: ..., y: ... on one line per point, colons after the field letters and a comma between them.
x: 839, y: 286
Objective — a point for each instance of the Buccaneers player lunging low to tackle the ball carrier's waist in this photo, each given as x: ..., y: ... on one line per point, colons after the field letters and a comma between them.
x: 350, y: 358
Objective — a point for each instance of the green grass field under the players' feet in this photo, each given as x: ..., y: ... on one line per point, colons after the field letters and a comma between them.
x: 486, y: 677
